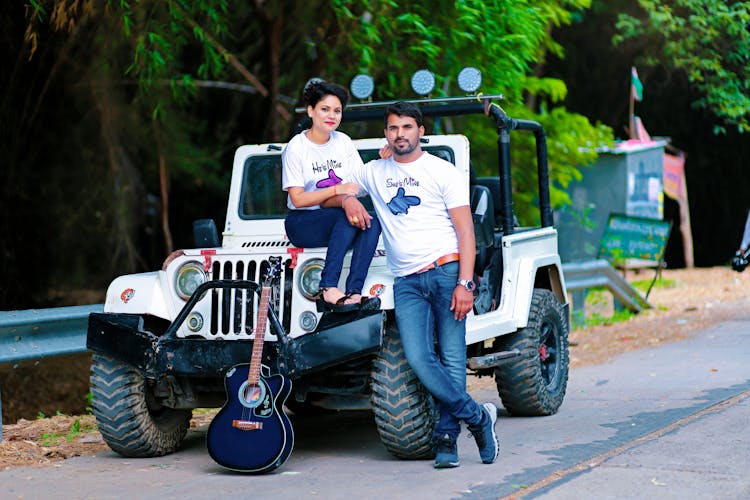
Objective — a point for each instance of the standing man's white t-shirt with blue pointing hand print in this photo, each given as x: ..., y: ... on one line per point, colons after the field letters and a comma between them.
x: 412, y: 201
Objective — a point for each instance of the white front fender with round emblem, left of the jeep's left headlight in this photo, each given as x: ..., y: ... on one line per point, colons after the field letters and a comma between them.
x: 137, y: 294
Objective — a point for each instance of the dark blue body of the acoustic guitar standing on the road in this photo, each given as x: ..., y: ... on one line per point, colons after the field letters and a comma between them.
x: 251, y: 433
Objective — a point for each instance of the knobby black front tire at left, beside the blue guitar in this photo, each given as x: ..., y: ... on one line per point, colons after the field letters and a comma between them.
x: 131, y: 422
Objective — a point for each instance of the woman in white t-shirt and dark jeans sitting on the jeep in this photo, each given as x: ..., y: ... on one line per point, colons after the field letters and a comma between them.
x: 323, y: 208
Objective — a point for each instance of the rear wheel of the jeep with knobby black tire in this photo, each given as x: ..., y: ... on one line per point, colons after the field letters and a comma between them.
x: 534, y: 384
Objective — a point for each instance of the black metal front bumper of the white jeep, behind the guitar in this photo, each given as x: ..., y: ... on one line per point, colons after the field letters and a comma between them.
x: 338, y: 339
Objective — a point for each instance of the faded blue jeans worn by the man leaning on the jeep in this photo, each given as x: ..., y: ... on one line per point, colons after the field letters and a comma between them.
x: 423, y: 315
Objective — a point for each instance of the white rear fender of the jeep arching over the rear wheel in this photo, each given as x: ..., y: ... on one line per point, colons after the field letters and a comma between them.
x: 528, y: 279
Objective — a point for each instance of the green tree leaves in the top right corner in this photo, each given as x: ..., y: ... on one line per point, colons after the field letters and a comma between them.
x: 709, y: 40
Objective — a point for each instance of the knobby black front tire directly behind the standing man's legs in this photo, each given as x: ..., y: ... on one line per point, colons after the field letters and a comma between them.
x: 405, y: 413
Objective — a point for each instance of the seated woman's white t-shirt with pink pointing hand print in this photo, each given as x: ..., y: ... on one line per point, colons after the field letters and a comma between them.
x: 317, y: 166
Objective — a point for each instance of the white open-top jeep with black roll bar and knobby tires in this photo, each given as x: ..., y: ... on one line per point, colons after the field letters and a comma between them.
x: 168, y: 338
